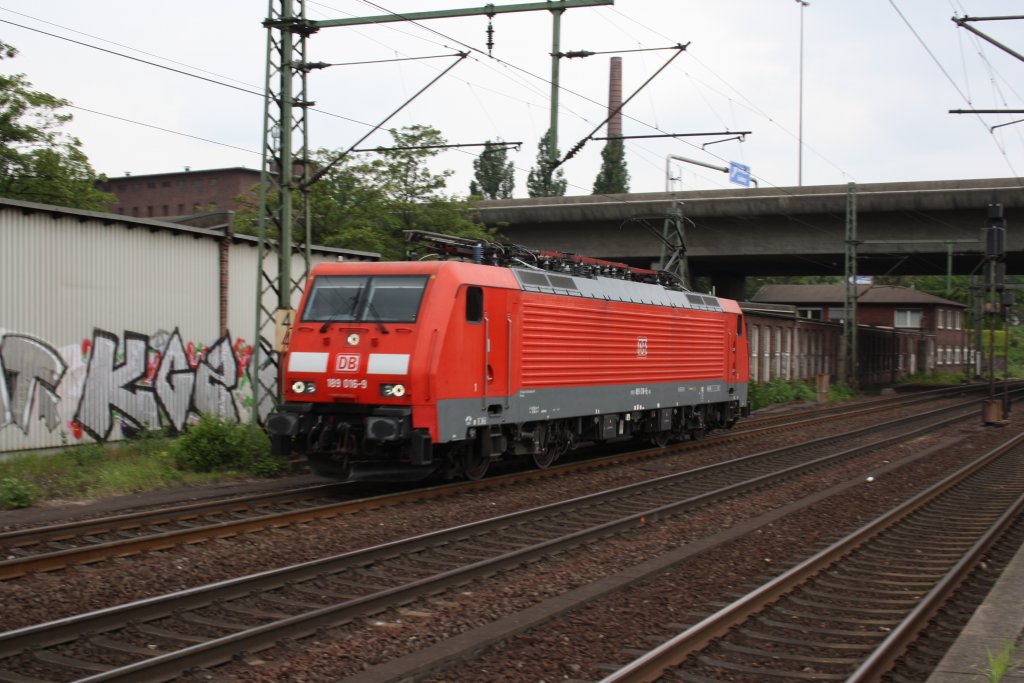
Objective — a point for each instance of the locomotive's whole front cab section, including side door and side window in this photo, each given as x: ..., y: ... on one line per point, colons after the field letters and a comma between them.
x: 392, y: 367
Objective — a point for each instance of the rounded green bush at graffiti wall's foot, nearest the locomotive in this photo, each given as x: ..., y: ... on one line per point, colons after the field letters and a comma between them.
x: 215, y: 445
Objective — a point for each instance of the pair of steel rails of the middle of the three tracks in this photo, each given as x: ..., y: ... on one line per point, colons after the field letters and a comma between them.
x: 216, y: 652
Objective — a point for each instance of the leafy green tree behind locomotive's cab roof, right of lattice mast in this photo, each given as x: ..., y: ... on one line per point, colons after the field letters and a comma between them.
x: 366, y: 201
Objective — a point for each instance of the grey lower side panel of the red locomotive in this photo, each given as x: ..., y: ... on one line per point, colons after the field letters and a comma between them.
x: 456, y: 416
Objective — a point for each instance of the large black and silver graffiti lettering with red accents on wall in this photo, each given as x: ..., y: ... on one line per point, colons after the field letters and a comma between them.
x: 108, y: 387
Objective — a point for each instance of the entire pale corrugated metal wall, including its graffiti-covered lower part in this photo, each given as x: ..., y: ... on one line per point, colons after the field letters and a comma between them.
x: 109, y: 325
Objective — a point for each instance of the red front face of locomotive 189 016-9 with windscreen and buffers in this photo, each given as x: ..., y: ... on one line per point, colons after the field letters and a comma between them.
x: 348, y: 372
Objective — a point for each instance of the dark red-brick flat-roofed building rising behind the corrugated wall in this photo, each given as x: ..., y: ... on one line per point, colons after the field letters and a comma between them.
x: 182, y: 194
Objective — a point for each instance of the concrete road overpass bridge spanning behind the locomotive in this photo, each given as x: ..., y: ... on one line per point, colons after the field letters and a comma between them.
x: 904, y: 228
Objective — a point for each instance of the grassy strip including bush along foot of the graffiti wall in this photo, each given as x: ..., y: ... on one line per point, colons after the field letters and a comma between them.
x: 151, y: 462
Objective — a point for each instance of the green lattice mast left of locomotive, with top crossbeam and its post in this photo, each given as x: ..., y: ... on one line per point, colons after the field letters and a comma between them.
x: 286, y: 172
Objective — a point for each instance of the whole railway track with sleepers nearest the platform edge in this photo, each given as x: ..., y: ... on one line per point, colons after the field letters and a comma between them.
x: 850, y: 612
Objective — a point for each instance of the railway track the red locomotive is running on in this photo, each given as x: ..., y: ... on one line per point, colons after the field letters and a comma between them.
x: 47, y: 549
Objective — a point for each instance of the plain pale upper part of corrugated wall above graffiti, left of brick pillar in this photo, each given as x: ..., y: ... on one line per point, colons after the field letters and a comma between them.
x: 71, y: 277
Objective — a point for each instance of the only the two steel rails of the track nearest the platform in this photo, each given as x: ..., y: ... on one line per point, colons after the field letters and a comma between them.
x: 673, y: 653
